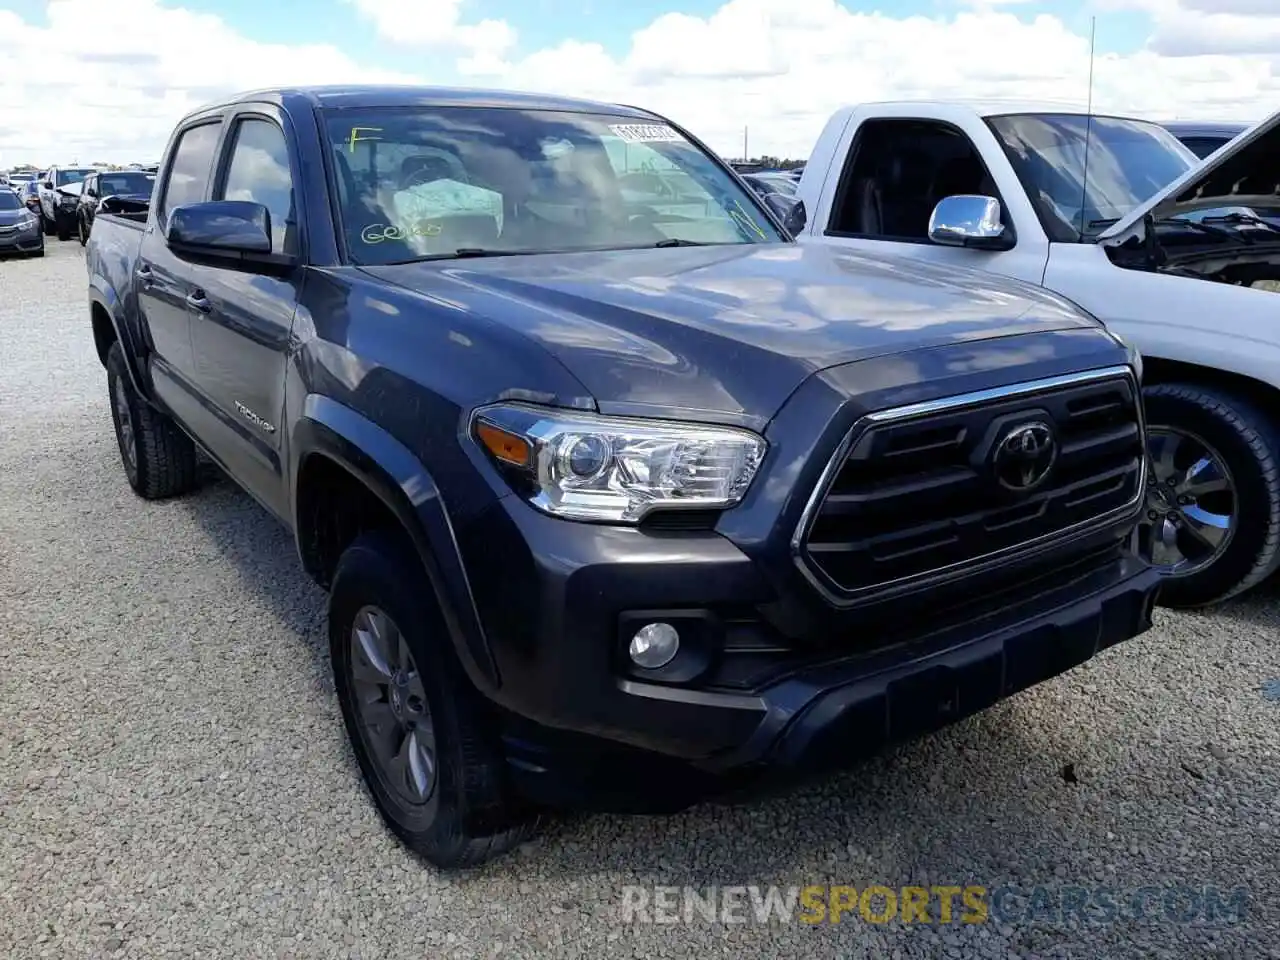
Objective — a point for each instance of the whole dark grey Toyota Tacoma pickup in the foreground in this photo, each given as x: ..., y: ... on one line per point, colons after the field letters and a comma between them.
x: 620, y: 501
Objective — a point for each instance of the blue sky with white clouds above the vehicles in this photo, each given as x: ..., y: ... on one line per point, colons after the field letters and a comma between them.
x: 106, y: 80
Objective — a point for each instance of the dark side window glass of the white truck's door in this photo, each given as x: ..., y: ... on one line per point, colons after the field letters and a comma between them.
x: 898, y: 173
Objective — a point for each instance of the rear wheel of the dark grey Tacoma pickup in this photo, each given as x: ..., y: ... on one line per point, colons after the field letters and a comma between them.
x: 159, y: 459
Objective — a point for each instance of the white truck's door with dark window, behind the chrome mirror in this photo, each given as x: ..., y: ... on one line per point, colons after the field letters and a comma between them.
x: 893, y: 171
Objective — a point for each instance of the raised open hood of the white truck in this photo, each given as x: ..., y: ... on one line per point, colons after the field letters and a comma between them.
x: 1244, y: 173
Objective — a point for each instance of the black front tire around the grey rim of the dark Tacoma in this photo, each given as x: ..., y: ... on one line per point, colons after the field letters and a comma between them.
x: 469, y: 816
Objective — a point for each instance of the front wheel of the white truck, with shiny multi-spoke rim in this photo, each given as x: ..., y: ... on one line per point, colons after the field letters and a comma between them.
x: 1213, y: 513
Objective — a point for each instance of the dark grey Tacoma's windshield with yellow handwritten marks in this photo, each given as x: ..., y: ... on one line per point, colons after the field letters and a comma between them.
x: 438, y: 182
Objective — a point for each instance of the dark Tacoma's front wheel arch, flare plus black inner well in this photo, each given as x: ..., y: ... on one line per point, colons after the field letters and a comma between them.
x: 345, y: 461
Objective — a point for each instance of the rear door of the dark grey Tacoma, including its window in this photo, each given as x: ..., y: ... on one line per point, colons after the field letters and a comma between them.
x: 164, y: 282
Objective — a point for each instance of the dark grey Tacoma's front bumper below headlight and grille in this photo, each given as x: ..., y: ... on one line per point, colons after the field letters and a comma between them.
x: 584, y: 728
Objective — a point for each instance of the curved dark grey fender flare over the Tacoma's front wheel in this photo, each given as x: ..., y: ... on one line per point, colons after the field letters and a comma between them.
x: 392, y: 473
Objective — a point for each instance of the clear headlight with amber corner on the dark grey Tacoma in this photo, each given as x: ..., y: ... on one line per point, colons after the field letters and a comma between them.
x: 583, y: 467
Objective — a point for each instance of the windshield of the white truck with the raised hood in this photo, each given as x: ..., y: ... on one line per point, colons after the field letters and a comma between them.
x: 1128, y: 163
